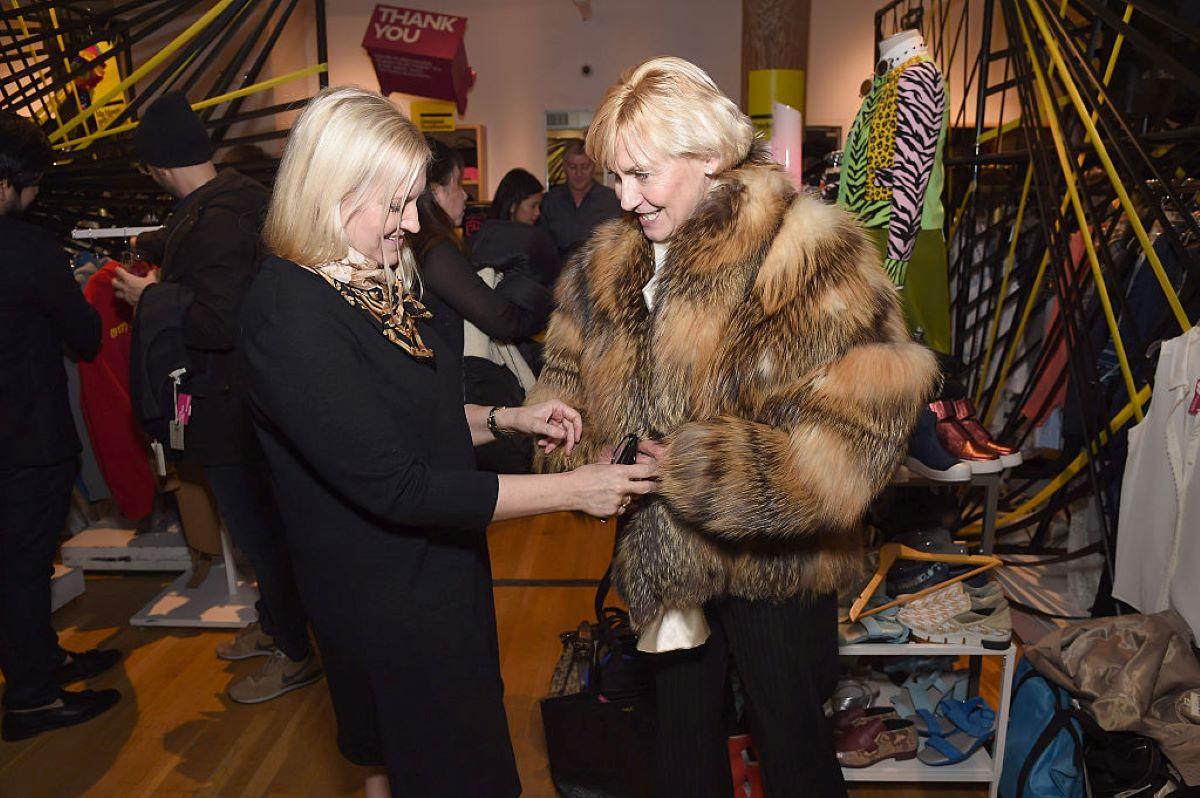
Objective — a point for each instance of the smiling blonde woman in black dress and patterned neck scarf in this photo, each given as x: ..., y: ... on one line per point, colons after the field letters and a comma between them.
x: 358, y: 403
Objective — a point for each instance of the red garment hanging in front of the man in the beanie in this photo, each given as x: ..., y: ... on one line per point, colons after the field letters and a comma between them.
x: 117, y: 440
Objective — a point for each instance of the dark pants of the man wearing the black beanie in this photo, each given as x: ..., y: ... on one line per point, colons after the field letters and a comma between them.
x: 248, y: 506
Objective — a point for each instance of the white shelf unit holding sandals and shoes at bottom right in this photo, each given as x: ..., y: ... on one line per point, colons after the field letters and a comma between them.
x: 983, y: 766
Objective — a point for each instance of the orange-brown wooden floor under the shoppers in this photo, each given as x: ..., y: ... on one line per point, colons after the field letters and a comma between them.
x: 176, y: 735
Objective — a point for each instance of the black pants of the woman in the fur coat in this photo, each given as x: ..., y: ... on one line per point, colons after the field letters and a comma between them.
x: 787, y: 656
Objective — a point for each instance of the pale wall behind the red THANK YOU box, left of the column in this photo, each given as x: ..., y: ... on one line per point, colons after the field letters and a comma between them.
x: 529, y: 55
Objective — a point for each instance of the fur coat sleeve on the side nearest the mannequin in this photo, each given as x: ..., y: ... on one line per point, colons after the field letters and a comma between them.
x: 833, y: 391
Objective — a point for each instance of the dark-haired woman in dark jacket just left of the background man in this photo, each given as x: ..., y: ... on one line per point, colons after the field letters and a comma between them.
x: 511, y: 230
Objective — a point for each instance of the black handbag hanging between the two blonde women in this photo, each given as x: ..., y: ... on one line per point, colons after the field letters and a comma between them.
x: 601, y: 716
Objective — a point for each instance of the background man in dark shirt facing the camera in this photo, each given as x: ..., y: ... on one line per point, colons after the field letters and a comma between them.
x: 573, y: 211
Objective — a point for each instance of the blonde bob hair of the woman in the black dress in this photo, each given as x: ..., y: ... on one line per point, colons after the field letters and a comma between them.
x: 349, y: 147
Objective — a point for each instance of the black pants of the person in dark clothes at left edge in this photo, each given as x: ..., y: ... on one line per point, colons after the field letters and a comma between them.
x: 34, y: 505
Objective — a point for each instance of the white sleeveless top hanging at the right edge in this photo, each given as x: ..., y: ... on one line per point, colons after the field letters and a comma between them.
x: 1159, y: 526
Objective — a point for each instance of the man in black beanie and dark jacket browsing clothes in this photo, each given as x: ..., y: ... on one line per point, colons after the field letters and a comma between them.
x: 212, y: 245
